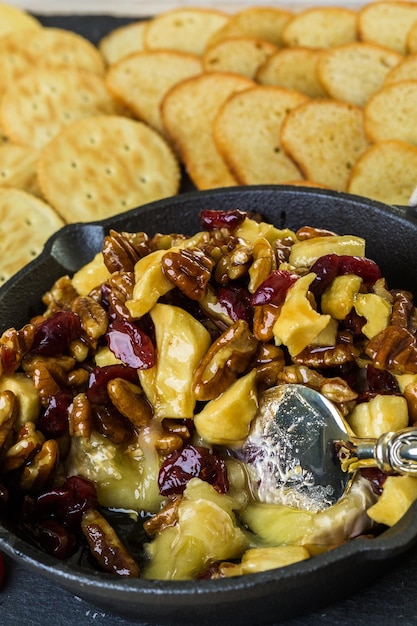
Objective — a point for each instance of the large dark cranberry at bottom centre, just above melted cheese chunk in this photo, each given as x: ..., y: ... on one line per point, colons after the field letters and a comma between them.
x: 191, y: 462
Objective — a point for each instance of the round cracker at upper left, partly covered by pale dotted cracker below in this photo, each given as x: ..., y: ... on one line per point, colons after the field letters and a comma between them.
x: 21, y: 51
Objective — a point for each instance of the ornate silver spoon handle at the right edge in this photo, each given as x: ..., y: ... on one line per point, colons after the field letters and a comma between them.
x: 393, y: 453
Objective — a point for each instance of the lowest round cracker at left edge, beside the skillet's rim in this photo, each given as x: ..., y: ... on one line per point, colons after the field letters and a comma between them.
x: 26, y: 224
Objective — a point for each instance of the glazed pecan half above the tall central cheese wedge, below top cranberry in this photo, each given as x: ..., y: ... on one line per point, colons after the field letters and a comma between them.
x: 189, y: 270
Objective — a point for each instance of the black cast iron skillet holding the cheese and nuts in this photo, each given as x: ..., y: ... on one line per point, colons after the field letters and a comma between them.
x: 267, y: 597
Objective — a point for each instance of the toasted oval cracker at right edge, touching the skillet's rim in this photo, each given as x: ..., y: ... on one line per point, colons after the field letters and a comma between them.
x: 386, y: 172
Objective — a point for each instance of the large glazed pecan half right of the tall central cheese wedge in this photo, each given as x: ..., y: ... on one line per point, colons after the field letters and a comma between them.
x: 226, y: 358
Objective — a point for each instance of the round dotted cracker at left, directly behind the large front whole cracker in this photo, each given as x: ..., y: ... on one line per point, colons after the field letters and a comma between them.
x: 38, y: 105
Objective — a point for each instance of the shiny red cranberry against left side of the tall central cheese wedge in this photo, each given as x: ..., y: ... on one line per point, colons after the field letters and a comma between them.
x: 130, y: 344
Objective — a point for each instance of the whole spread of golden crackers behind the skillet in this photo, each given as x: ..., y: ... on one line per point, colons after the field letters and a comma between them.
x: 324, y: 97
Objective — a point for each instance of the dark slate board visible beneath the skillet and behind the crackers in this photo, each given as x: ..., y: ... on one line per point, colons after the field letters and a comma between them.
x: 28, y: 599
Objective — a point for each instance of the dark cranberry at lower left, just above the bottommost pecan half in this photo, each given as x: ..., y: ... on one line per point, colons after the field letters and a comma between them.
x: 66, y: 504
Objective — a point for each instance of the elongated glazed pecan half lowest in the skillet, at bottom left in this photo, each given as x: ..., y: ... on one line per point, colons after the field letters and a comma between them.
x: 106, y: 547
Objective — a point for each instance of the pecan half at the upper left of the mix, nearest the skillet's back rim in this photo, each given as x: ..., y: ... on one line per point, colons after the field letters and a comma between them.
x: 122, y: 250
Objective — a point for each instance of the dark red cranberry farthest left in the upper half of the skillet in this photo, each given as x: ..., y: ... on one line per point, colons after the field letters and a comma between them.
x: 55, y: 333
